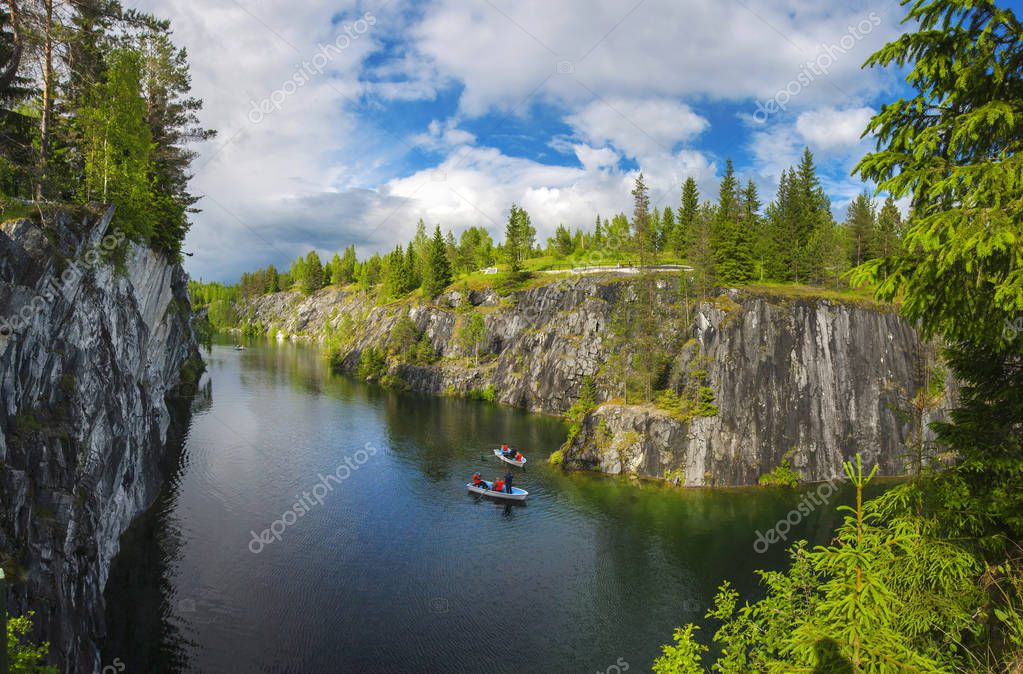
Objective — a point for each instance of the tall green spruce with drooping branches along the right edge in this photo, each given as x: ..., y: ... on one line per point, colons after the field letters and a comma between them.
x: 955, y: 149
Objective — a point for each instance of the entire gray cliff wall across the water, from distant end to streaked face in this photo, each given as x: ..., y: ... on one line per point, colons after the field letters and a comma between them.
x: 814, y: 379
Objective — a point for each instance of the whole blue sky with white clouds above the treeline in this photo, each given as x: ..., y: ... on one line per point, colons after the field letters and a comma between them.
x: 346, y: 122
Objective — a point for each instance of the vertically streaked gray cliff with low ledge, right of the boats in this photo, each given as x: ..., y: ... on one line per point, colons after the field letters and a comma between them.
x: 808, y: 380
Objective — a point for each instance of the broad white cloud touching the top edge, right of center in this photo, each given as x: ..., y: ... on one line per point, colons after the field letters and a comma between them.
x: 509, y: 53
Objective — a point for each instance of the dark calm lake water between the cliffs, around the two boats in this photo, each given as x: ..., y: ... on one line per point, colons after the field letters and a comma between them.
x: 390, y: 566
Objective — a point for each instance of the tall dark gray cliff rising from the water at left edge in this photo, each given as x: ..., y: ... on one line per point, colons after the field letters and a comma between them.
x: 97, y: 339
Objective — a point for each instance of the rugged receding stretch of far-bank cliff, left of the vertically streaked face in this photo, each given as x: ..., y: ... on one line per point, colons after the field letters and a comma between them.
x: 539, y: 346
